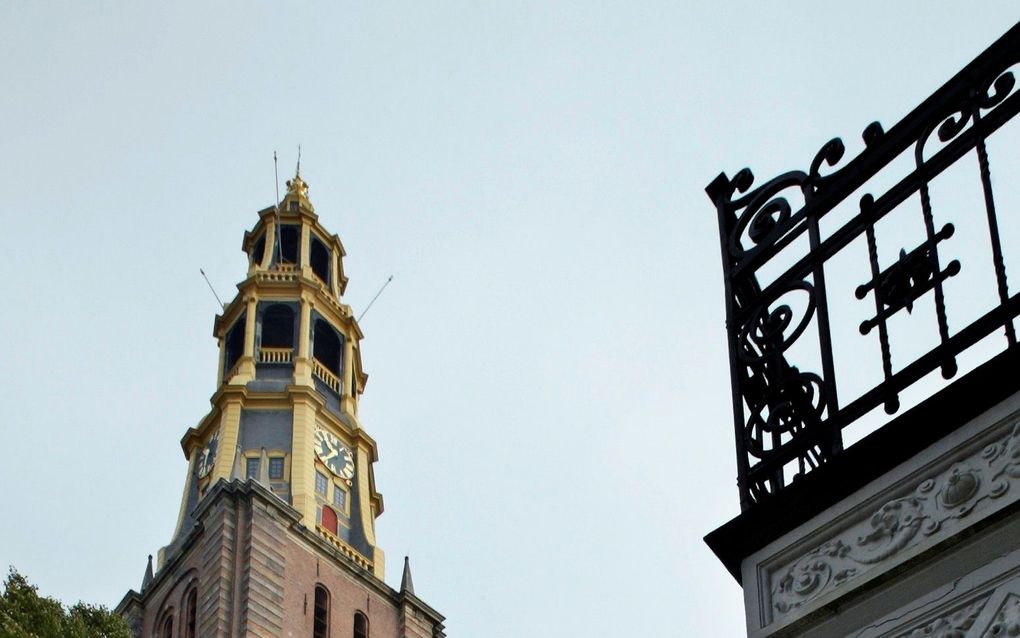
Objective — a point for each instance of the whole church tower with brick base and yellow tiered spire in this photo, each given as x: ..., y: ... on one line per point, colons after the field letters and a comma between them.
x: 277, y: 530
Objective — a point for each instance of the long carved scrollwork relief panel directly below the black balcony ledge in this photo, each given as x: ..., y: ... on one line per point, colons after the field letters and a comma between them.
x: 900, y: 524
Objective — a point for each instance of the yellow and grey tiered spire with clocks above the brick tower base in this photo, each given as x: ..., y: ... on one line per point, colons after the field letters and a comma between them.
x: 286, y: 413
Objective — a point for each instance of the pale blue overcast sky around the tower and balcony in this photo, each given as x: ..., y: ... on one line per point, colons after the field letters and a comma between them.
x: 549, y: 384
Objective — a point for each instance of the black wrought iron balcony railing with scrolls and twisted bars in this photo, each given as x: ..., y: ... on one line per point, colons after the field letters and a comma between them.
x: 788, y: 420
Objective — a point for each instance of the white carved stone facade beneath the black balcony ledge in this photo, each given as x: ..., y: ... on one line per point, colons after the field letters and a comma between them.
x: 931, y: 549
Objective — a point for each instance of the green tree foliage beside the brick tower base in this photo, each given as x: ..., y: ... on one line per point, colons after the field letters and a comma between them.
x: 25, y: 614
